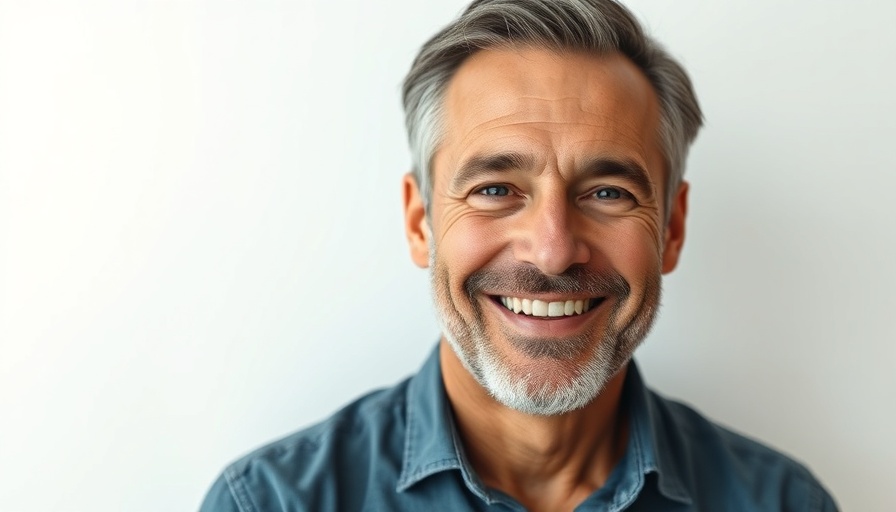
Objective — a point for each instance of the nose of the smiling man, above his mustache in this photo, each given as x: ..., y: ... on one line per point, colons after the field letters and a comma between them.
x: 549, y: 236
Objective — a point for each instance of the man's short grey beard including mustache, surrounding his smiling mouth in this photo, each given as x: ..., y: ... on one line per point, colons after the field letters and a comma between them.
x: 528, y: 391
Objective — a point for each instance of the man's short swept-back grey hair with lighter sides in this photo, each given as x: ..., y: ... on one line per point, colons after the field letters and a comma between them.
x: 598, y: 26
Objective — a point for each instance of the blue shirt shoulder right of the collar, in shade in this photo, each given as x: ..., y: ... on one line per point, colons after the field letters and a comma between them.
x: 719, y: 464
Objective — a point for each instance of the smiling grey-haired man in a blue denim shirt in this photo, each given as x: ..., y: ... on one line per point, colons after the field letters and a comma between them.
x: 549, y: 139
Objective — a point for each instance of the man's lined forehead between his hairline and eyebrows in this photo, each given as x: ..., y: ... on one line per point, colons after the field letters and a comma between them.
x: 560, y: 107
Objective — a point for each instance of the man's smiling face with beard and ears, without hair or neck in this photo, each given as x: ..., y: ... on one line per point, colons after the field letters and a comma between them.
x: 547, y: 237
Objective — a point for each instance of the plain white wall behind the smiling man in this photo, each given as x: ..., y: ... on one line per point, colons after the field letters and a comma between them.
x: 201, y: 246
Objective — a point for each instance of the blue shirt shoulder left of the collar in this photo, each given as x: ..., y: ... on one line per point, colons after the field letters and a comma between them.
x: 313, y: 468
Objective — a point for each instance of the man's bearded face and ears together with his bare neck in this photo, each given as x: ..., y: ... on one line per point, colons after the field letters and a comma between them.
x: 550, y: 166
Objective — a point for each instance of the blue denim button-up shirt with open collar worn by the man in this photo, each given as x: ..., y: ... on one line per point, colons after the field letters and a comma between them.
x: 397, y: 450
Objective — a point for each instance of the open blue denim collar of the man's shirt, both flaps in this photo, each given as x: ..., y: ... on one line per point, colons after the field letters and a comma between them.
x: 432, y: 444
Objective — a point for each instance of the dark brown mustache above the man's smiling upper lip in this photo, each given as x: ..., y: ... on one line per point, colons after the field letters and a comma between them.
x: 526, y: 279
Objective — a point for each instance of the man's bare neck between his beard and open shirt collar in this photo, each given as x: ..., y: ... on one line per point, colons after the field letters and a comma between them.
x: 545, y: 462
